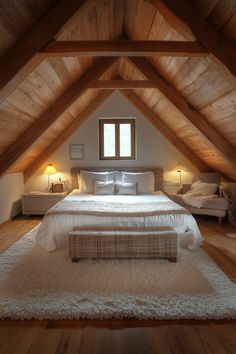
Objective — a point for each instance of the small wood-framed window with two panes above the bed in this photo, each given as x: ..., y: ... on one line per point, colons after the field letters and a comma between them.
x: 117, y: 139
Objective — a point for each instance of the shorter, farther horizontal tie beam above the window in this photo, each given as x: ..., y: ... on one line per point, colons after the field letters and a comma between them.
x: 123, y: 84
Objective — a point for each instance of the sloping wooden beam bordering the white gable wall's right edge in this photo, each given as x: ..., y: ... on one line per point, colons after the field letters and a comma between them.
x: 165, y: 130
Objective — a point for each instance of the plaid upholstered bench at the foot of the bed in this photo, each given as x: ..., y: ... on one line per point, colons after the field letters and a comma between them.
x: 112, y: 242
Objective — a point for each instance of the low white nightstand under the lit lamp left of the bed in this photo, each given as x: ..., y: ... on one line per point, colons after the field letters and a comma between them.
x: 40, y: 202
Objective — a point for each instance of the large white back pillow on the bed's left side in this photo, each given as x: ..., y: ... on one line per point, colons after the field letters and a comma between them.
x: 87, y: 178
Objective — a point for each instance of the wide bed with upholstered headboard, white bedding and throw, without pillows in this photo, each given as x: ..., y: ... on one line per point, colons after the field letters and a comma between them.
x: 141, y: 210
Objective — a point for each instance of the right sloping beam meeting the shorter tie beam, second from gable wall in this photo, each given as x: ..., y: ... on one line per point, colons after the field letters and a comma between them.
x: 188, y: 112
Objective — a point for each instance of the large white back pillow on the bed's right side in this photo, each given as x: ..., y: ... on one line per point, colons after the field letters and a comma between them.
x: 144, y: 180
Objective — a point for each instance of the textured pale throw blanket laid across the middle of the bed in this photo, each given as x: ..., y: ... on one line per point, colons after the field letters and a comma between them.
x: 110, y: 208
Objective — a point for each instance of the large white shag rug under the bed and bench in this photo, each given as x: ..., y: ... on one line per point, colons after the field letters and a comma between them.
x: 35, y: 284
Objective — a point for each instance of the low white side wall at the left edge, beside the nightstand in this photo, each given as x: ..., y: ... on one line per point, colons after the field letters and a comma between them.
x: 11, y: 189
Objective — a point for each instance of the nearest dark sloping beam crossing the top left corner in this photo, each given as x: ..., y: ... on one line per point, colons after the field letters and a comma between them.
x: 23, y: 57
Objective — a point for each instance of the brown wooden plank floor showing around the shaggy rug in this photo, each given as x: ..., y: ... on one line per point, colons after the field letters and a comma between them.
x: 124, y: 336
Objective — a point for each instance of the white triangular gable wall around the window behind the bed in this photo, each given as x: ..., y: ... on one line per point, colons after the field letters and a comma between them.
x: 152, y: 148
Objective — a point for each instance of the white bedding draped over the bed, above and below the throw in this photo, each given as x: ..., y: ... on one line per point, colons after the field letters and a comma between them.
x: 54, y: 230
